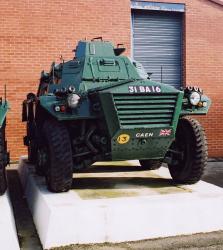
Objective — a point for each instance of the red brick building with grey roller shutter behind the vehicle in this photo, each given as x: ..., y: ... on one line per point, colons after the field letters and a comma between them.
x: 34, y: 33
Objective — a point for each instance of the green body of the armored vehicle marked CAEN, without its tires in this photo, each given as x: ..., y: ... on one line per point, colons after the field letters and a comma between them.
x: 118, y: 103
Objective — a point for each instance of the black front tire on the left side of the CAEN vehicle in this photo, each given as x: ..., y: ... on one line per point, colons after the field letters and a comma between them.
x: 59, y: 169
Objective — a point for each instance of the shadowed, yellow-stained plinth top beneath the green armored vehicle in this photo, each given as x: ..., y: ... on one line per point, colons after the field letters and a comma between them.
x: 121, y: 179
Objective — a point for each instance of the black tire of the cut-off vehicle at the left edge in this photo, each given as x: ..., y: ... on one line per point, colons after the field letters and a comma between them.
x: 3, y: 179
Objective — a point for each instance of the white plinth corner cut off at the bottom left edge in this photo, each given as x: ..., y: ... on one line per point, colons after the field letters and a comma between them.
x: 8, y: 234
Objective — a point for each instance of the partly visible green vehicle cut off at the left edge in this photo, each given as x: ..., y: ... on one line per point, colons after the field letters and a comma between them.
x: 4, y: 155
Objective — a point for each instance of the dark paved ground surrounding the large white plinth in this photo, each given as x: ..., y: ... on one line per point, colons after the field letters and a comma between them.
x: 29, y: 238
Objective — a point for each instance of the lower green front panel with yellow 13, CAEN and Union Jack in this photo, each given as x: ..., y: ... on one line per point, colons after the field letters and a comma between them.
x: 141, y: 143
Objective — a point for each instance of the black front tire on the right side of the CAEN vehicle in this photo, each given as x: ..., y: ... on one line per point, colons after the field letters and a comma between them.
x: 191, y: 141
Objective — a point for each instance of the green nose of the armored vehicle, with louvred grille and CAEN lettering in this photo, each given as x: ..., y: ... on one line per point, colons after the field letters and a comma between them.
x: 143, y: 118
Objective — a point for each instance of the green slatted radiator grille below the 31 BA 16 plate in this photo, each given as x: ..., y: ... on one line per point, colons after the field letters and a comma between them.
x: 137, y: 111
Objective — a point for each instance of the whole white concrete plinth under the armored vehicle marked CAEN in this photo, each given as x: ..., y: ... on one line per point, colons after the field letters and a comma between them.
x: 120, y: 203
